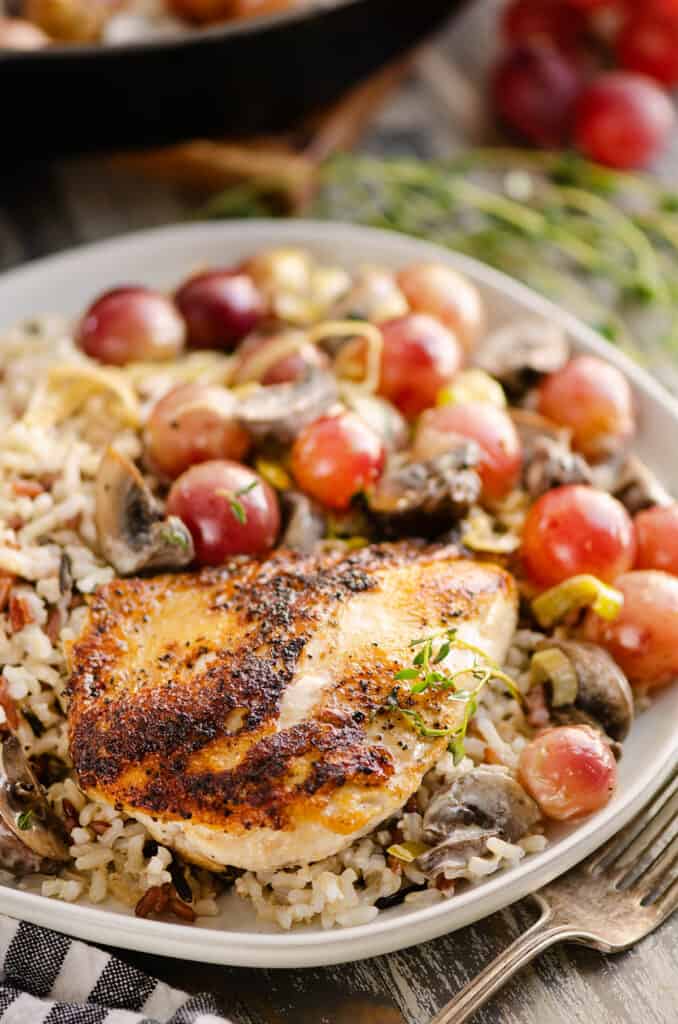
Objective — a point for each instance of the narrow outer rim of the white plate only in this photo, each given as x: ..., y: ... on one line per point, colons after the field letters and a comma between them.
x: 298, y: 950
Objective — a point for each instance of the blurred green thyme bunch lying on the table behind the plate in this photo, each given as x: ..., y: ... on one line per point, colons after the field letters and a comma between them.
x: 562, y: 225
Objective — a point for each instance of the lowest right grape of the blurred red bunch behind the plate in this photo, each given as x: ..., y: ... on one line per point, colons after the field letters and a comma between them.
x: 623, y: 120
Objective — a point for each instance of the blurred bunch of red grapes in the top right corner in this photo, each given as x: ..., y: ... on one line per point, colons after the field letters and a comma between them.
x: 592, y: 73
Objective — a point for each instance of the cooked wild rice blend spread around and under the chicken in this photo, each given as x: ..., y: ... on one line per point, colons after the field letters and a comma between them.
x: 49, y: 562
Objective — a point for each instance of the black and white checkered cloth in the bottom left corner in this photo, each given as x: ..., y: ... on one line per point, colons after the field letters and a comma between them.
x: 47, y: 978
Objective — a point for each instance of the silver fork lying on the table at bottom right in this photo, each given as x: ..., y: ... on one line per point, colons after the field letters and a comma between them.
x: 611, y: 902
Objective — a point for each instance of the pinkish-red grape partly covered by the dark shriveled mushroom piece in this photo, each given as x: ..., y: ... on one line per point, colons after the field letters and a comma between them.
x: 490, y: 428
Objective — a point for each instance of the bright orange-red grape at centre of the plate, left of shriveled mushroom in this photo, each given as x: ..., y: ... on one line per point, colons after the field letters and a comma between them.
x: 336, y: 457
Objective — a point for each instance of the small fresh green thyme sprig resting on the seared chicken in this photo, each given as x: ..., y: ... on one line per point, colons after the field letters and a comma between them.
x: 422, y: 677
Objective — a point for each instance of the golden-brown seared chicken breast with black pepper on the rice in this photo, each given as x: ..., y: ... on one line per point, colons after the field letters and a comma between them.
x: 246, y: 715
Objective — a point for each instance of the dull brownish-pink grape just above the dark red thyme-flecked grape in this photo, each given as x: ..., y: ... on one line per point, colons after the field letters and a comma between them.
x: 194, y: 423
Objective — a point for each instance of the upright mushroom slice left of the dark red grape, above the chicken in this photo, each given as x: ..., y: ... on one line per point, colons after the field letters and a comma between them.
x: 134, y: 534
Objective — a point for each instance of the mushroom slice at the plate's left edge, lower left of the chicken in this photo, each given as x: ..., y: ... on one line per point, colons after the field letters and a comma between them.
x: 32, y: 838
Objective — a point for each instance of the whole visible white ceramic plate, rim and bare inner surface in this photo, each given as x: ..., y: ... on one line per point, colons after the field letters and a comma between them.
x: 65, y: 284
